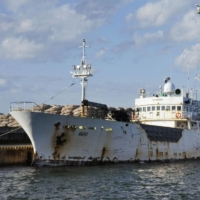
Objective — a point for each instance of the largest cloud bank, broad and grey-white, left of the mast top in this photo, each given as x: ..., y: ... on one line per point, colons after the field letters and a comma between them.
x: 41, y: 36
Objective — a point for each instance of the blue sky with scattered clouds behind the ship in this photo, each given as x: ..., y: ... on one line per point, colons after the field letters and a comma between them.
x: 133, y: 44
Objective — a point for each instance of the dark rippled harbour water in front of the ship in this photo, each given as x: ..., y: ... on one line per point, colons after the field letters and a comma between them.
x: 177, y: 180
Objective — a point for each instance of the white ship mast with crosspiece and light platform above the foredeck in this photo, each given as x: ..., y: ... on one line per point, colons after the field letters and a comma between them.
x: 82, y: 71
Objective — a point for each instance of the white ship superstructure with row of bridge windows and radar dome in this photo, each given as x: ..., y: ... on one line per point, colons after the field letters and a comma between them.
x: 171, y: 107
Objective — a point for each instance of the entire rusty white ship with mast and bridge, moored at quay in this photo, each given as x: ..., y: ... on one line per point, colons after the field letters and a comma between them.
x: 163, y: 127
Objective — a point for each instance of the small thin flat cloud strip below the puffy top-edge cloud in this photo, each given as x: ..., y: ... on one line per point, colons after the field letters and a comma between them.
x: 148, y: 37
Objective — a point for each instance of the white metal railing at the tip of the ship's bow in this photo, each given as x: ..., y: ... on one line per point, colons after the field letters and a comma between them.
x: 23, y: 106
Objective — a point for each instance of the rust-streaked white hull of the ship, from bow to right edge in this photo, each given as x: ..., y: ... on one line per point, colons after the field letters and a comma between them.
x: 69, y: 140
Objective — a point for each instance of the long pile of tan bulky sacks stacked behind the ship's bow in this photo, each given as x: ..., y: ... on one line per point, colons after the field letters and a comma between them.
x: 91, y: 111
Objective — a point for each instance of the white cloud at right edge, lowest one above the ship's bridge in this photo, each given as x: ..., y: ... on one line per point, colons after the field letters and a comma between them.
x: 190, y: 58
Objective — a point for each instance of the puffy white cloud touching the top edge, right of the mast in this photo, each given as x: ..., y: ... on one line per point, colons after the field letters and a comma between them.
x: 159, y: 12
